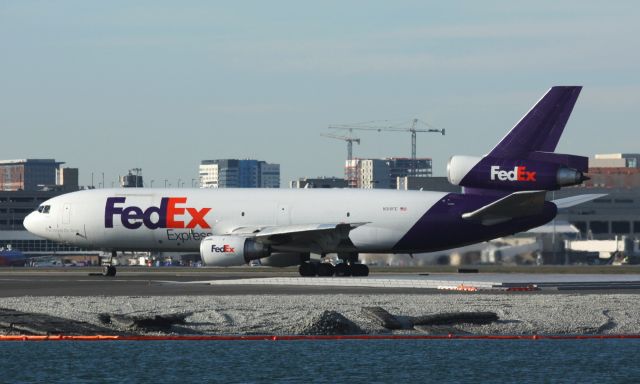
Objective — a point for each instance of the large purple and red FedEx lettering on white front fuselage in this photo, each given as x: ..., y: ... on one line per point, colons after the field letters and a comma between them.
x: 172, y: 213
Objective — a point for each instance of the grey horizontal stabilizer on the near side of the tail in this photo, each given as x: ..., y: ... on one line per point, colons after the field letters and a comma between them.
x: 517, y: 204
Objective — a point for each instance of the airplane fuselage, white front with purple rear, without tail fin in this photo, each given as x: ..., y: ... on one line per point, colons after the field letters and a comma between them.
x: 179, y: 219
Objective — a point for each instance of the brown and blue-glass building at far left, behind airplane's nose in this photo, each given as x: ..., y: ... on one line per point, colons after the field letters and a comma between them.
x: 28, y: 174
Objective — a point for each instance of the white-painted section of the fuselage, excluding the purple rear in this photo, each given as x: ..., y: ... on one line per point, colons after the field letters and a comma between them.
x: 78, y: 218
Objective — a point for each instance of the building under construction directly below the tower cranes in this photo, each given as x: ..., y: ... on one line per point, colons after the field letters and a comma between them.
x: 384, y: 173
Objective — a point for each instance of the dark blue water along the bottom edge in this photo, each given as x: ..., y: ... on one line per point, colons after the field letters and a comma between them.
x: 352, y: 361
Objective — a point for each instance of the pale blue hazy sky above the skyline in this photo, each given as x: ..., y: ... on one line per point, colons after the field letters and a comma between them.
x: 111, y: 85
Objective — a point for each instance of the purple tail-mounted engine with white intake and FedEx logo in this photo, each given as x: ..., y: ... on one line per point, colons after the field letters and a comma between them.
x: 538, y: 171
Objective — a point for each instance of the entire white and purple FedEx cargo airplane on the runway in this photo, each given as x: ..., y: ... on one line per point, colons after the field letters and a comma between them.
x: 504, y: 194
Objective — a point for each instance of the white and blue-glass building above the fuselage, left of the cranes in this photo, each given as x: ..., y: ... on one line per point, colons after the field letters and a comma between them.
x: 233, y: 173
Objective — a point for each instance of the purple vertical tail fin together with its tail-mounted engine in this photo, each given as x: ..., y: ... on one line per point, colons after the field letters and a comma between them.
x: 524, y: 159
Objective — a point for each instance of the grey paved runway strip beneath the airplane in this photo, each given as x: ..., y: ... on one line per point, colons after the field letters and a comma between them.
x: 158, y: 282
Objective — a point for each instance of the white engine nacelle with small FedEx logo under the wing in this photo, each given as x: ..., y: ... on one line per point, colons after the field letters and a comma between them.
x: 227, y: 251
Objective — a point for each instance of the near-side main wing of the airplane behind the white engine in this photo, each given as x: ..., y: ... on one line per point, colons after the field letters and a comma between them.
x: 294, y: 237
